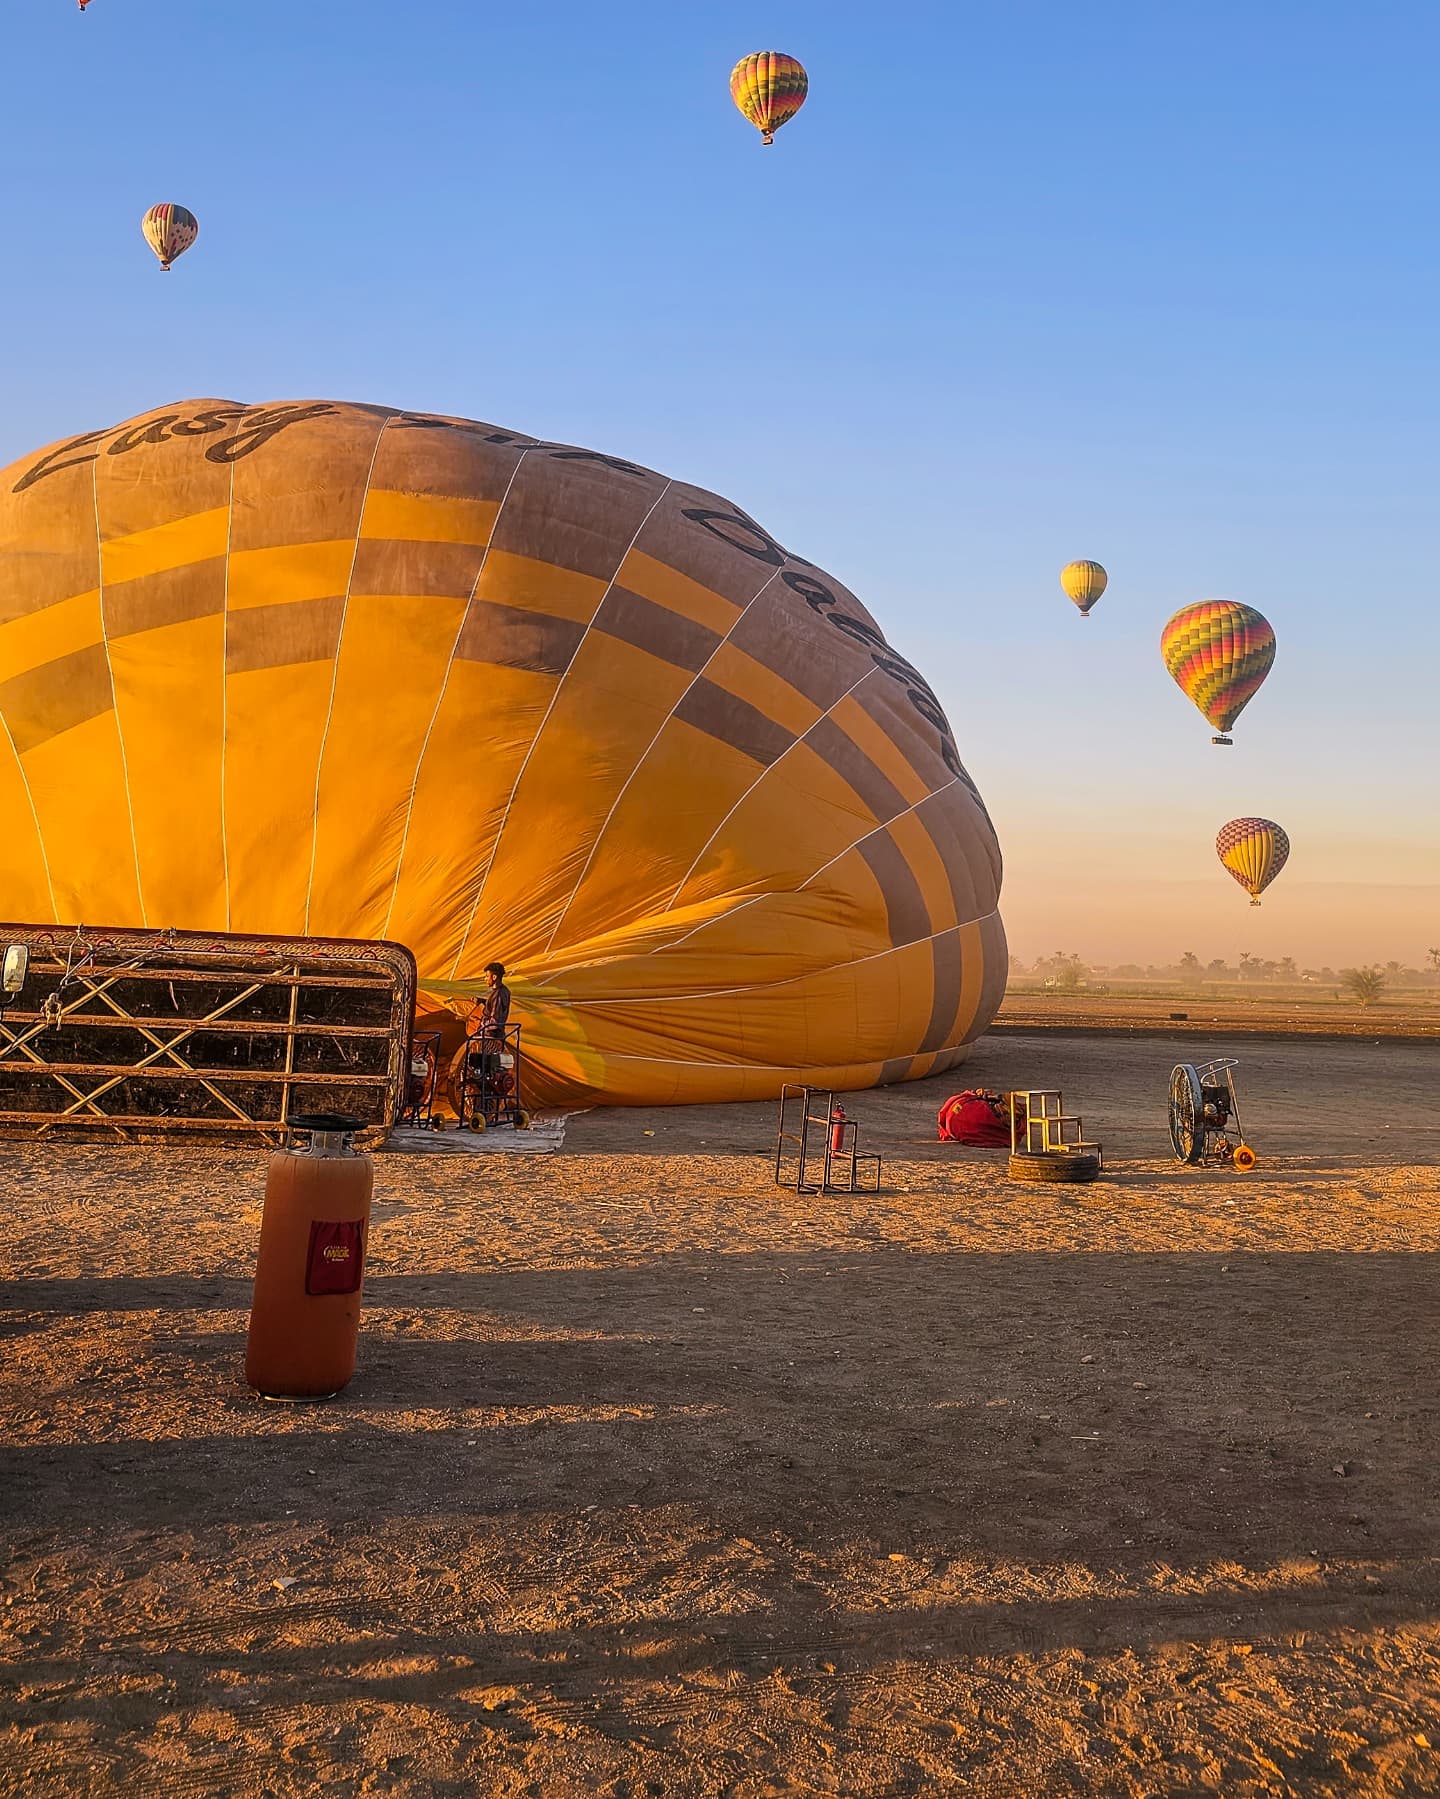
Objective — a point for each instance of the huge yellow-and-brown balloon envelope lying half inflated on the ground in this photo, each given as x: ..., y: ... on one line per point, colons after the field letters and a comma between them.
x: 352, y: 672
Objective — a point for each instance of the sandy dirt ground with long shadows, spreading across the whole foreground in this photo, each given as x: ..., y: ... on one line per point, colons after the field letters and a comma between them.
x: 661, y: 1481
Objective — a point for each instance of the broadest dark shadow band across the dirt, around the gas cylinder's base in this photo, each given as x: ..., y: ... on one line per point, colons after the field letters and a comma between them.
x: 1241, y: 1406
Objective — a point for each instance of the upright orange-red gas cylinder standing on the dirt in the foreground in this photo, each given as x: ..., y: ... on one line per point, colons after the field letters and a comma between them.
x: 305, y: 1316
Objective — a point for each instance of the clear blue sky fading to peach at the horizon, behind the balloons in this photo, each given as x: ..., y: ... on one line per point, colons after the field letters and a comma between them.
x: 1025, y: 282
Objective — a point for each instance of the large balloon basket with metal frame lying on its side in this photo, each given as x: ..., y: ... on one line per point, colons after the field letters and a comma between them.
x: 150, y: 1034
